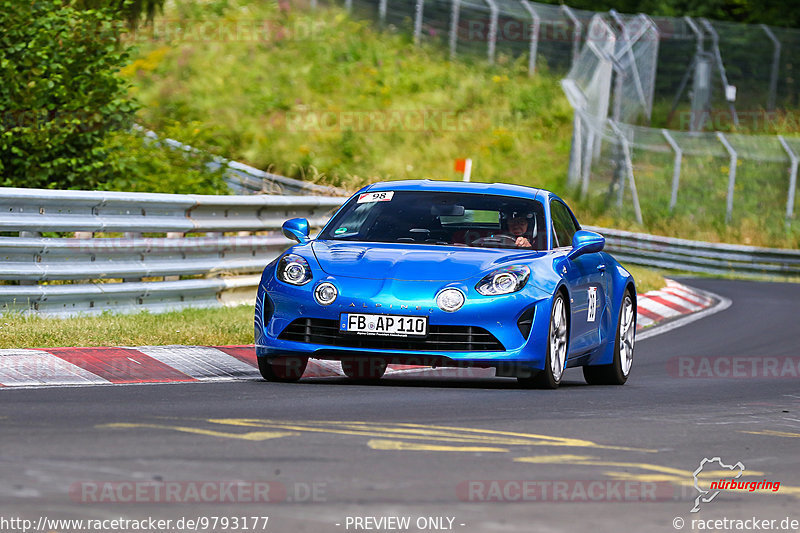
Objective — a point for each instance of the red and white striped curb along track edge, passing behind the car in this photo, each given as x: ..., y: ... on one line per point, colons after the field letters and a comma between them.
x: 673, y: 306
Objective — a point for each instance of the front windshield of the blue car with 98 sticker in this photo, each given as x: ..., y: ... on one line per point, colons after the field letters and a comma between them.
x: 445, y: 218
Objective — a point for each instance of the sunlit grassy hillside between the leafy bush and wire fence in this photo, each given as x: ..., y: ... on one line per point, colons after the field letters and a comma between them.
x: 346, y: 105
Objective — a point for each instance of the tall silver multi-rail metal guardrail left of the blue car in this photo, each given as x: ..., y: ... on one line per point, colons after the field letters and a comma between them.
x: 128, y: 251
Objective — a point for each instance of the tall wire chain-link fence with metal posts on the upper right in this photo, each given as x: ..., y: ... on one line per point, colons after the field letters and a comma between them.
x: 625, y: 72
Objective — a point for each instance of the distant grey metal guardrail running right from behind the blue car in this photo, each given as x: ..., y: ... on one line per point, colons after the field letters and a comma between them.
x: 699, y: 256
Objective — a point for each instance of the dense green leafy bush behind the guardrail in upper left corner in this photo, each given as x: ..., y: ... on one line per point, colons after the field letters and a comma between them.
x: 60, y: 94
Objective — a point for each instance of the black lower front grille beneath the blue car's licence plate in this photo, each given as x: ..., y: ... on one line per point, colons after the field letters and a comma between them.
x: 439, y: 339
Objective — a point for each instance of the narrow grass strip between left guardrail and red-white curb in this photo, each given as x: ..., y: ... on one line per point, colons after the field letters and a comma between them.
x: 202, y: 327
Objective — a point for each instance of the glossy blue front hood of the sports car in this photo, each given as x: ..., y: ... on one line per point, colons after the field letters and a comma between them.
x: 412, y: 262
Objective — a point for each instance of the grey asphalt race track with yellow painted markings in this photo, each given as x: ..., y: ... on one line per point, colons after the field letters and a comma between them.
x: 326, y: 452
